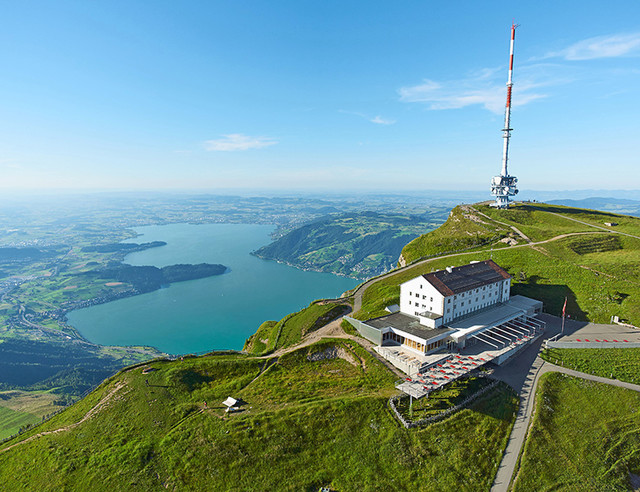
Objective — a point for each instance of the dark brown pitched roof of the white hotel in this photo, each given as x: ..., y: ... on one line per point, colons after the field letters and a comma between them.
x: 466, y: 277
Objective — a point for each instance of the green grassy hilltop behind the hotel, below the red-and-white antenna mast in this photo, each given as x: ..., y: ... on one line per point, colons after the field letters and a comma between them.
x: 593, y: 266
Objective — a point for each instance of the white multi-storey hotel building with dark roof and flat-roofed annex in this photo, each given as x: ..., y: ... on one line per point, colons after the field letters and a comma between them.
x: 455, y: 308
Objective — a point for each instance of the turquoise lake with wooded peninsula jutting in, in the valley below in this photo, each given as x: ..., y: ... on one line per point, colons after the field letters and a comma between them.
x: 213, y: 313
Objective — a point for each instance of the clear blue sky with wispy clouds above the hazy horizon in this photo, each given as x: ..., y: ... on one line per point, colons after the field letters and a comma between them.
x: 317, y: 95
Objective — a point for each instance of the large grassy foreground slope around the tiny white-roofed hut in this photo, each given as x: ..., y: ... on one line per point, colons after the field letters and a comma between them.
x: 315, y: 417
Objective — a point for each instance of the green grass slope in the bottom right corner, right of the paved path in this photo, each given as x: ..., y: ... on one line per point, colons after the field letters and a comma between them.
x: 585, y: 436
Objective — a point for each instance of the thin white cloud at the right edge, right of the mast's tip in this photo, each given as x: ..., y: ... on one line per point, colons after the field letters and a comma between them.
x: 610, y: 46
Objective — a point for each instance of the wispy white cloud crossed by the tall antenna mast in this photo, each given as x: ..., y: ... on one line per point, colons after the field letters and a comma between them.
x: 480, y: 88
